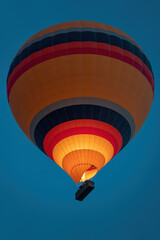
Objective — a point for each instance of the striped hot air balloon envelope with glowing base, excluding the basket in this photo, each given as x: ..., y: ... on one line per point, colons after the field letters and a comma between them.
x: 80, y: 91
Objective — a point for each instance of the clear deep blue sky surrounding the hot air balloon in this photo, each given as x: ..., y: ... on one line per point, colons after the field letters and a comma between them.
x: 36, y: 196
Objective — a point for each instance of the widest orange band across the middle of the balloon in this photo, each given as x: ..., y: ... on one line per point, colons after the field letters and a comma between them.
x: 78, y: 79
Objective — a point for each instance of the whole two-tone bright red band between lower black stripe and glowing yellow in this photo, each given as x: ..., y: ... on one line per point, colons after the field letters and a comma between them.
x: 52, y: 137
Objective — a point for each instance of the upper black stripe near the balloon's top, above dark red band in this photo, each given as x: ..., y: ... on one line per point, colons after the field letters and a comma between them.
x: 79, y: 37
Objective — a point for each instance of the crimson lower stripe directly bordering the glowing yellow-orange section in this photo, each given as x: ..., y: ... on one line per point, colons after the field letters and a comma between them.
x: 49, y: 144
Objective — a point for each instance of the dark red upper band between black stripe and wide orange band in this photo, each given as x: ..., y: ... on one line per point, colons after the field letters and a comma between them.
x: 78, y: 48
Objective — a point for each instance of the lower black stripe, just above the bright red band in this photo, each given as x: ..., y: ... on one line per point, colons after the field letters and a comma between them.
x: 81, y: 112
